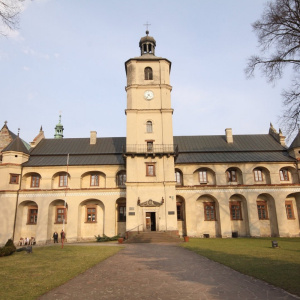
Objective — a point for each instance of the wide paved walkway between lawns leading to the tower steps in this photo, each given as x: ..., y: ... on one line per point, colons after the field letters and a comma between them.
x: 163, y: 271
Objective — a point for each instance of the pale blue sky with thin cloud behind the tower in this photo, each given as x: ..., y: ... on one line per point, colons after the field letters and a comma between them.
x: 68, y: 56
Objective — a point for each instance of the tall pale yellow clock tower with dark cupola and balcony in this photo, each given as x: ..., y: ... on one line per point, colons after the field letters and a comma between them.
x: 150, y: 152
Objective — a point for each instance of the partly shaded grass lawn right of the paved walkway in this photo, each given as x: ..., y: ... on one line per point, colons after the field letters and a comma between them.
x: 256, y: 257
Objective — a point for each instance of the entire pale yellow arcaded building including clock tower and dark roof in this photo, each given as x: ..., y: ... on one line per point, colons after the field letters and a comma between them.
x: 165, y: 188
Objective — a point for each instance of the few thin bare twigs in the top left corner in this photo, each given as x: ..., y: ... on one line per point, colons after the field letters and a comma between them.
x: 9, y: 14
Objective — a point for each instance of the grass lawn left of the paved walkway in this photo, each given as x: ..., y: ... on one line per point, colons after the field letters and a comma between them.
x: 27, y: 276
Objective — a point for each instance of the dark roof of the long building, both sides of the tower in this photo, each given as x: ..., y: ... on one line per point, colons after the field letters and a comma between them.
x: 192, y: 149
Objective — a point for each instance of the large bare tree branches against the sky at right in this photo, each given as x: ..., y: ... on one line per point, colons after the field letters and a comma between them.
x: 278, y: 32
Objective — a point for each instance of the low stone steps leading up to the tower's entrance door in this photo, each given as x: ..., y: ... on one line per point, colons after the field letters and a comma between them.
x: 154, y: 237
